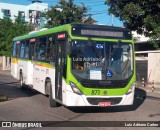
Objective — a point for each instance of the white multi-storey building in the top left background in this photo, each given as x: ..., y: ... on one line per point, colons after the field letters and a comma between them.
x: 29, y: 13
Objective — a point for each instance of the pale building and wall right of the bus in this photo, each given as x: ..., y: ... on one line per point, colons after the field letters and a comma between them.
x: 147, y: 62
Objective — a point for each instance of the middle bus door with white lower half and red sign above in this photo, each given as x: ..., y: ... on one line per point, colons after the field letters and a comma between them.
x: 32, y: 43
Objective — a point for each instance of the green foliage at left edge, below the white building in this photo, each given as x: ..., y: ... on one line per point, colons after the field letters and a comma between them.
x: 8, y: 31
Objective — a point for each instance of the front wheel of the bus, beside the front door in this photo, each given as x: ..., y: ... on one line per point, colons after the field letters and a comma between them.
x: 53, y: 103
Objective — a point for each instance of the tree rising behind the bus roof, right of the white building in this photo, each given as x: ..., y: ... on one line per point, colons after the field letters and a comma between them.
x: 67, y: 12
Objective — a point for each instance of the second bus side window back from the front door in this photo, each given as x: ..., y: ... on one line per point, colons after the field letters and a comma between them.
x: 42, y: 48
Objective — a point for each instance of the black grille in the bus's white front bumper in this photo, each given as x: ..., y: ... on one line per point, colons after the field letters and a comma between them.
x: 95, y: 101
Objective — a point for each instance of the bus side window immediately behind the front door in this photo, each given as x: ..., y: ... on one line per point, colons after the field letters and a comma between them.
x: 50, y: 55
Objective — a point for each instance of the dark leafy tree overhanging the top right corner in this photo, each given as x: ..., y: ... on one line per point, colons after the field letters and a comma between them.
x: 140, y: 15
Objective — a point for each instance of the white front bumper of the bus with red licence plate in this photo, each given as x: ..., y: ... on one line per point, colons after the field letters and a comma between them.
x: 73, y: 99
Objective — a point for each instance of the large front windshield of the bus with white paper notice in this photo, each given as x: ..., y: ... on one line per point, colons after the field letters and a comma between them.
x: 97, y: 60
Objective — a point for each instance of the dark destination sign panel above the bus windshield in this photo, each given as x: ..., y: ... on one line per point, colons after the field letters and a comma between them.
x: 102, y: 31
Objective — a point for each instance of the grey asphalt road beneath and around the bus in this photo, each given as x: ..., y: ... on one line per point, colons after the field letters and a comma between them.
x: 29, y: 105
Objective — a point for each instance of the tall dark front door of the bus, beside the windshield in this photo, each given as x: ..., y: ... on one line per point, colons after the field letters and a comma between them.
x: 60, y: 65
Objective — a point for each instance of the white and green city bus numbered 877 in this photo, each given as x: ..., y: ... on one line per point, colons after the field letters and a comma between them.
x: 77, y: 64
